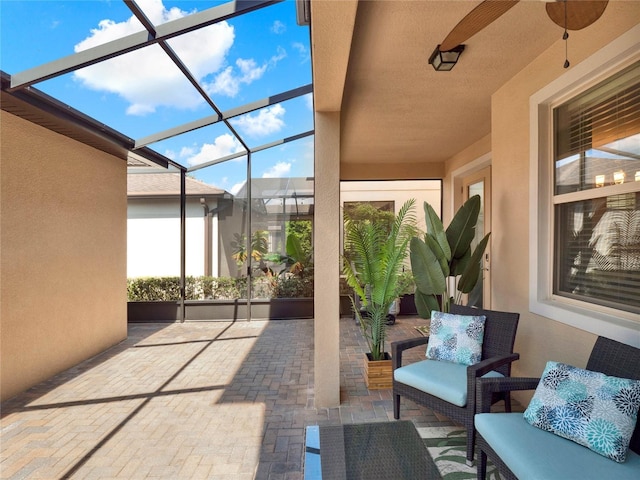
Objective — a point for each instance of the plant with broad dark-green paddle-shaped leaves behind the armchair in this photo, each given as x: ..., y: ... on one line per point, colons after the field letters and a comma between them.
x: 445, y: 260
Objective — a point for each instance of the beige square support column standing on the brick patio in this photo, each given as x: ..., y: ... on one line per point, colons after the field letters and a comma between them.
x: 326, y: 247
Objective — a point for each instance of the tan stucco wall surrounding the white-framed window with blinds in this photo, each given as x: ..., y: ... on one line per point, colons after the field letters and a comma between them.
x: 539, y: 339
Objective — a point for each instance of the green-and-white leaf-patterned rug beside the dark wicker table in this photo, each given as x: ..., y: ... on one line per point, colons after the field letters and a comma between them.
x: 447, y: 447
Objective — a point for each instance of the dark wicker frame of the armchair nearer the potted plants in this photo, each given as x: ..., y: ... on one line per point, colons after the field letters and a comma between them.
x: 497, y: 356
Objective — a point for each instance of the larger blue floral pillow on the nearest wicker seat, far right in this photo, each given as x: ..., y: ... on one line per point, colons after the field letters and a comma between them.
x: 590, y: 408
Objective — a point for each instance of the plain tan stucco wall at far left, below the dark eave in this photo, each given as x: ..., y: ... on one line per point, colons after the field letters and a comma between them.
x: 63, y: 253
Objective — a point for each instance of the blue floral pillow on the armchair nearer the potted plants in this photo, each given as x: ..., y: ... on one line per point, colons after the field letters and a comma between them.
x: 456, y: 338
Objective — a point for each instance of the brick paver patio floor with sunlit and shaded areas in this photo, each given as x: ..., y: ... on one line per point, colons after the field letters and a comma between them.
x: 215, y: 400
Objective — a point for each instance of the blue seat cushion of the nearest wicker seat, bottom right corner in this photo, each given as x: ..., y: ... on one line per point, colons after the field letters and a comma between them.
x: 532, y: 453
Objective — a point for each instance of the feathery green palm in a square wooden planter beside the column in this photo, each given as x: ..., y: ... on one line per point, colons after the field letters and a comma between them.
x: 373, y: 271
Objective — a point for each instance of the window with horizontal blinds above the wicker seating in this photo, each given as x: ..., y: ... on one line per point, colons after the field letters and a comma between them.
x: 597, y: 194
